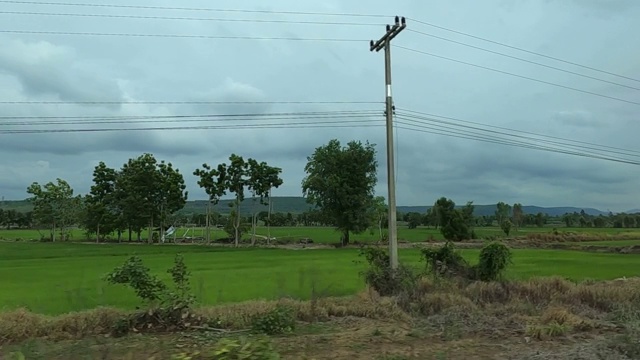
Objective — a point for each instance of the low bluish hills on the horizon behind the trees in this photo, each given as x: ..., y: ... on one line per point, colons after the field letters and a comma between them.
x: 297, y: 204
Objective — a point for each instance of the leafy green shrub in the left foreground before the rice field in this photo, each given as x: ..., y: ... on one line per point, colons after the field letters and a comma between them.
x: 133, y: 273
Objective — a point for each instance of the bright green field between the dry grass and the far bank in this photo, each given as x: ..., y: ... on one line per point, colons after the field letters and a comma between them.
x: 55, y: 278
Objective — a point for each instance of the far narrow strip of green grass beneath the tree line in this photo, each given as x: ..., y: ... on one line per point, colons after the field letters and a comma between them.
x: 324, y: 235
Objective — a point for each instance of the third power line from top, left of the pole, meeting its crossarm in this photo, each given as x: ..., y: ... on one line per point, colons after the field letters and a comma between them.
x: 217, y: 37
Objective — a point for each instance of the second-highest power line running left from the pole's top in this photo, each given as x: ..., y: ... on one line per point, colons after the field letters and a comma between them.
x: 190, y: 18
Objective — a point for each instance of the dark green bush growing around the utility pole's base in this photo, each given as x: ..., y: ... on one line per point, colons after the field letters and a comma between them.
x: 382, y: 278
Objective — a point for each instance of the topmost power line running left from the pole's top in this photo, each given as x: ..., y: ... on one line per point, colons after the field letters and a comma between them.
x: 146, y: 7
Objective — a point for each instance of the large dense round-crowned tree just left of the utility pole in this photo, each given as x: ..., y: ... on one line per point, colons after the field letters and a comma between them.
x: 340, y: 182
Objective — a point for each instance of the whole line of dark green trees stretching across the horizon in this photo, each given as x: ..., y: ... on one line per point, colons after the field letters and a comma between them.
x: 145, y: 193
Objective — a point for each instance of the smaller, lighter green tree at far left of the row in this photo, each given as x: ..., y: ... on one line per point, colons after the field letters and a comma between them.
x: 54, y: 206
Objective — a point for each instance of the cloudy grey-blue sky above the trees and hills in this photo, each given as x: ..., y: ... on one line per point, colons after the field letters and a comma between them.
x: 120, y: 69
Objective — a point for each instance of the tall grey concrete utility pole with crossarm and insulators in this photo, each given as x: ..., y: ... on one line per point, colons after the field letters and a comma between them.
x: 385, y: 43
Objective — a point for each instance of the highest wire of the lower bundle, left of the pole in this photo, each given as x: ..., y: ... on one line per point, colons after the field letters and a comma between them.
x: 164, y: 102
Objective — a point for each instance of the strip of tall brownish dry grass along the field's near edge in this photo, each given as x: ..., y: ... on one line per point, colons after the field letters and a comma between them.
x: 540, y: 308
